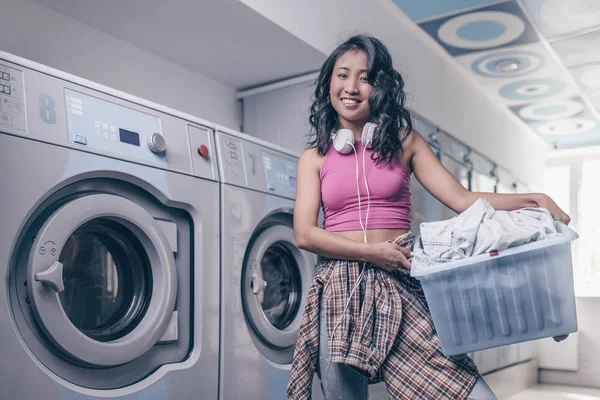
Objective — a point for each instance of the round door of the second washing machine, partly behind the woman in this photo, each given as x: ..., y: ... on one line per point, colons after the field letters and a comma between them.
x: 275, y: 275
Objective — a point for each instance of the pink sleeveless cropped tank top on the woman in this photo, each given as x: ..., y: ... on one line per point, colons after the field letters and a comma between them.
x: 389, y: 188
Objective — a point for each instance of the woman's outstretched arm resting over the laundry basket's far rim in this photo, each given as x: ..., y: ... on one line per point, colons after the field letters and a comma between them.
x: 438, y: 181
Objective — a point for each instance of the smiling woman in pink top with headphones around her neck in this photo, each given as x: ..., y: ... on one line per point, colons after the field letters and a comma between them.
x: 366, y: 319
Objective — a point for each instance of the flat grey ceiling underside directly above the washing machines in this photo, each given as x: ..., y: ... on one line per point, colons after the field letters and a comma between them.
x: 222, y: 39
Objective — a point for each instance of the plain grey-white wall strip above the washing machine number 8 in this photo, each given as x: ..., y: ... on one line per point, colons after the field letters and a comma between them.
x: 37, y: 33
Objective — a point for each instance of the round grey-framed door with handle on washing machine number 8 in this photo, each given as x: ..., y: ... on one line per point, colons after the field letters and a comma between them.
x: 101, y: 277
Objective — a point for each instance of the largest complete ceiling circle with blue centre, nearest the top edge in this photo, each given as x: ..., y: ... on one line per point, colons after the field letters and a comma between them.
x: 481, y: 30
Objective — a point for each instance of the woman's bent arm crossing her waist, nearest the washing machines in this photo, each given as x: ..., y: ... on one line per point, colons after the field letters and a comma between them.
x: 317, y: 240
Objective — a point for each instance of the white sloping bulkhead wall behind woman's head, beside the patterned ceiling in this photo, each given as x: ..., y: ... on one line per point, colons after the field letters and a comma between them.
x: 439, y: 89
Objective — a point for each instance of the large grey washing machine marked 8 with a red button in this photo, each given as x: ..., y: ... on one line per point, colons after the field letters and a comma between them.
x: 108, y: 243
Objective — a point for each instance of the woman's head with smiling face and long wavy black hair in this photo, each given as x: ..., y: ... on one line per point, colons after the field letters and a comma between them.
x: 360, y: 72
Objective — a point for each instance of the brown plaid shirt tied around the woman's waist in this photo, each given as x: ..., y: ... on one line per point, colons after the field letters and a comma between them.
x: 390, y: 336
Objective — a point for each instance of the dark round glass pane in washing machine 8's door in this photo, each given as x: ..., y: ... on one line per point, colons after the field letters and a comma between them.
x: 107, y: 280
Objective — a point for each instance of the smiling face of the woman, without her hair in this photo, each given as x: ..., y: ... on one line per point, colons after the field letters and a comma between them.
x: 350, y: 90
